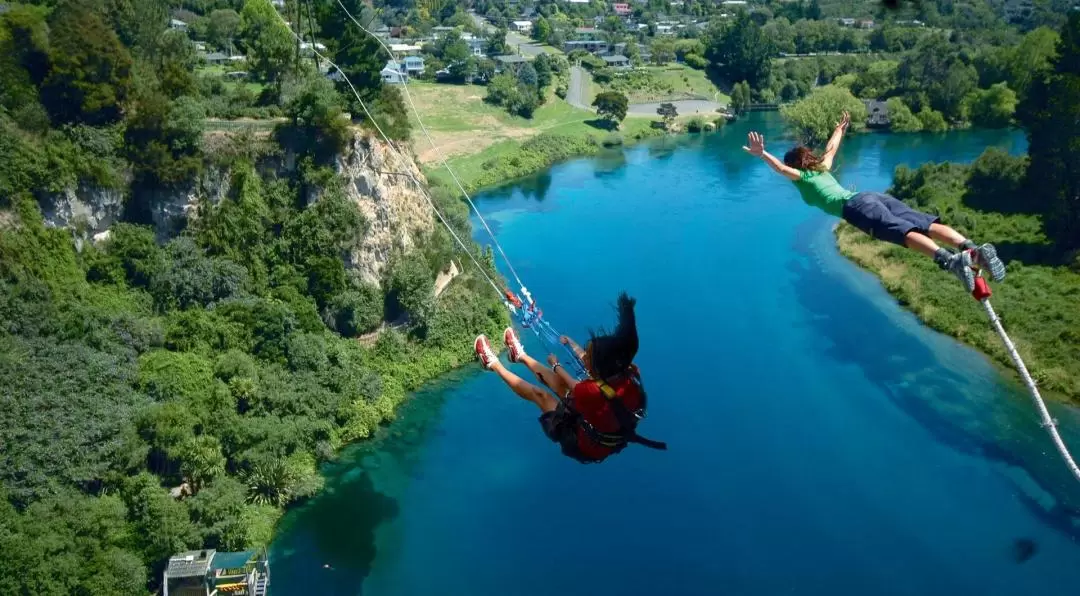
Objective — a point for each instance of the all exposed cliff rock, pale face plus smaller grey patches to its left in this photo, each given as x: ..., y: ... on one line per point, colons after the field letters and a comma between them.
x: 382, y: 183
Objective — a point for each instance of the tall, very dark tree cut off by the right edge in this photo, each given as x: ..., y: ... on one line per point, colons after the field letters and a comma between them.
x: 1051, y: 117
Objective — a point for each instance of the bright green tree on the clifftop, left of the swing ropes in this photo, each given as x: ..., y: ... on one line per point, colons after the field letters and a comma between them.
x: 267, y: 42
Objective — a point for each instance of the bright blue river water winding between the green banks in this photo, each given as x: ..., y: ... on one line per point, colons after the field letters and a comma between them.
x: 821, y: 440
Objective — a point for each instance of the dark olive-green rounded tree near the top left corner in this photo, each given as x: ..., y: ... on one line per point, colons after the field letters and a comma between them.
x: 91, y: 71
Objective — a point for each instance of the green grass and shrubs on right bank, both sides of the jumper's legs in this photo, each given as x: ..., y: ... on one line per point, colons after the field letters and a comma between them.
x: 1037, y: 302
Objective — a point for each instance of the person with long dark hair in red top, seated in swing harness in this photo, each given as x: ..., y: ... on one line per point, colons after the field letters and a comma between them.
x: 598, y: 417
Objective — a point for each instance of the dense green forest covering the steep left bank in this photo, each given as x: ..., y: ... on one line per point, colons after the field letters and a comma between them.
x: 221, y: 364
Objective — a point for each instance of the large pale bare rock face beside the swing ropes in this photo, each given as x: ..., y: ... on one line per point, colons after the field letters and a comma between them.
x: 384, y: 186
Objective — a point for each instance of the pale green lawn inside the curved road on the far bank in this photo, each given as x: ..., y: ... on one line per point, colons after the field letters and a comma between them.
x: 660, y: 84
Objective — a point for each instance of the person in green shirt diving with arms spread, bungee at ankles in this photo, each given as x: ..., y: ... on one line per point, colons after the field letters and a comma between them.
x: 880, y: 215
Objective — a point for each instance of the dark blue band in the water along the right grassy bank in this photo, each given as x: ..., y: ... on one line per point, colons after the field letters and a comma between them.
x: 853, y: 331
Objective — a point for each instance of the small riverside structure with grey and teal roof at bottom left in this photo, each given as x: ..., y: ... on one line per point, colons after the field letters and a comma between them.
x: 208, y: 572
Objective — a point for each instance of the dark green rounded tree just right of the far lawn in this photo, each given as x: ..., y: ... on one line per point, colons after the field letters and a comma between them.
x: 740, y: 51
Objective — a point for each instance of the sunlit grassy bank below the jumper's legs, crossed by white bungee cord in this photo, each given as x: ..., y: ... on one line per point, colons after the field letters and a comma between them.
x: 1037, y: 305
